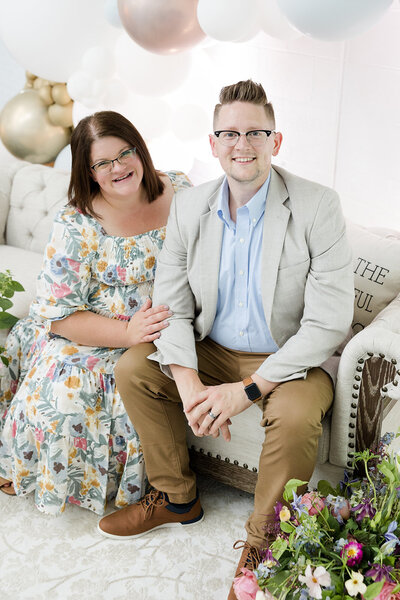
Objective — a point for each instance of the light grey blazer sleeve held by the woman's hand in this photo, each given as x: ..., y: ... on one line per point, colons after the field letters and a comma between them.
x: 176, y: 345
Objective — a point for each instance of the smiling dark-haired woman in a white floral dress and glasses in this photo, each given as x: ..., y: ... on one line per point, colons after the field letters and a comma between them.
x: 65, y: 434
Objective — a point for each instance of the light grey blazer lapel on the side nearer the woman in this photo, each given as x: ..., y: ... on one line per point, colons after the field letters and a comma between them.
x: 211, y: 230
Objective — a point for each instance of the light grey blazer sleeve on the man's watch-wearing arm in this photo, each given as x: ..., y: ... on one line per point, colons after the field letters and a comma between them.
x: 328, y: 298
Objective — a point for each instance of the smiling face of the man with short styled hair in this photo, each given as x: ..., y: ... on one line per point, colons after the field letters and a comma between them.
x: 244, y: 163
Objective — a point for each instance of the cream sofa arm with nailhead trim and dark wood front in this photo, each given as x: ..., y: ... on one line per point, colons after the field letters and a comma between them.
x: 368, y: 377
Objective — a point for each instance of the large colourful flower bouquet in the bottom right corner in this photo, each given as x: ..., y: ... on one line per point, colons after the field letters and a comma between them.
x: 334, y: 544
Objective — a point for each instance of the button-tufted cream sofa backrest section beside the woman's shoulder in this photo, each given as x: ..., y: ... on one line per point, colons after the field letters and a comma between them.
x: 37, y: 194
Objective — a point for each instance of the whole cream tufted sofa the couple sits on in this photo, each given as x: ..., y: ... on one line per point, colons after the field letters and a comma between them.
x: 367, y: 388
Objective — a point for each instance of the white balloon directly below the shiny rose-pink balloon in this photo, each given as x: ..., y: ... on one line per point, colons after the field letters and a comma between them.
x: 147, y: 73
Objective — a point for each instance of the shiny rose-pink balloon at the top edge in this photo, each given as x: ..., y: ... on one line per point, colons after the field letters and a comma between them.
x: 162, y: 27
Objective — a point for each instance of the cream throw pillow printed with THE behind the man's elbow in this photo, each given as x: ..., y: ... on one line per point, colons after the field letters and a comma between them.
x: 376, y: 265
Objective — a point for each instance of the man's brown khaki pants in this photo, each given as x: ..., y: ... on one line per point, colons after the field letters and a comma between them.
x: 292, y: 418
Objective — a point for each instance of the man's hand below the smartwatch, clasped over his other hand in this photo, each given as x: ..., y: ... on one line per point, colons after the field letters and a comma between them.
x: 224, y: 401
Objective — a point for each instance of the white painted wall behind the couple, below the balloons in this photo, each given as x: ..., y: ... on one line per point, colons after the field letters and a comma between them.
x: 337, y: 105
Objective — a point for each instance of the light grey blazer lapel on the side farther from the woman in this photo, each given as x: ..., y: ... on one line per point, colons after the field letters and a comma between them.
x: 275, y: 225
